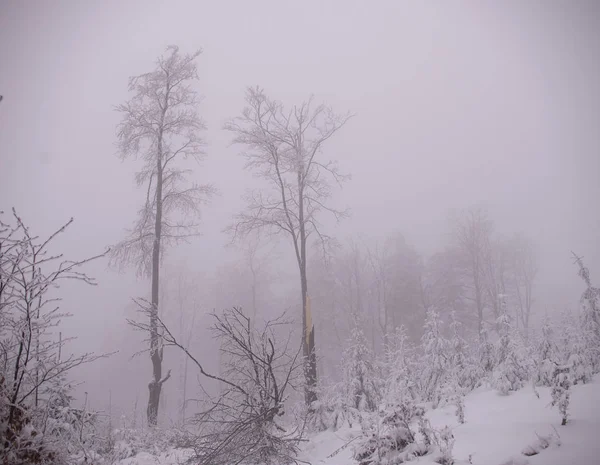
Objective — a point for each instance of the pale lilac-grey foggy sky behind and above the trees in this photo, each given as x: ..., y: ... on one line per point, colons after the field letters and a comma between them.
x: 456, y: 105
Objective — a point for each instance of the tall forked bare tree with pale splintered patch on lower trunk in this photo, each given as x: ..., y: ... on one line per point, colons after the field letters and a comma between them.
x: 285, y: 148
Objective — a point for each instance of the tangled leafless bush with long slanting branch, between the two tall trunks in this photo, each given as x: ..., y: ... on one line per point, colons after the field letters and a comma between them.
x: 239, y: 424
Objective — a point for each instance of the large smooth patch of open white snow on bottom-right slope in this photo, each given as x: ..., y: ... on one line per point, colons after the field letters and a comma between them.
x: 498, y: 428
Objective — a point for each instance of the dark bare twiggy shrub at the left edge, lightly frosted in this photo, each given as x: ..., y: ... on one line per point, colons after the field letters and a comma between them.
x: 31, y: 365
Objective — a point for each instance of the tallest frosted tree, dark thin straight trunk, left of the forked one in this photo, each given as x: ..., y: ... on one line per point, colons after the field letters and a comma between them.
x: 161, y: 126
